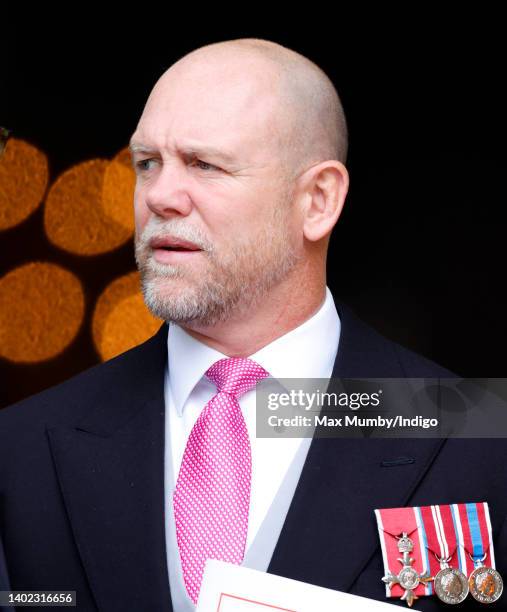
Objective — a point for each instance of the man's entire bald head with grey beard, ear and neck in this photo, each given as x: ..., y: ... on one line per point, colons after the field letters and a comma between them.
x: 223, y: 136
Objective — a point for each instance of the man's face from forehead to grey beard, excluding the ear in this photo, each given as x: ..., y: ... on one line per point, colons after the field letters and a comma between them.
x: 215, y: 227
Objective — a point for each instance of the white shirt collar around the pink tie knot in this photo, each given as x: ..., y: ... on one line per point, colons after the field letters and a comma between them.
x: 307, y: 351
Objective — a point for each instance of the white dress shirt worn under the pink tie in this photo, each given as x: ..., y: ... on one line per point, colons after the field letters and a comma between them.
x: 308, y: 351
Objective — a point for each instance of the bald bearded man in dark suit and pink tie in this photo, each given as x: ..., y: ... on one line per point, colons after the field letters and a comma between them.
x: 239, y: 155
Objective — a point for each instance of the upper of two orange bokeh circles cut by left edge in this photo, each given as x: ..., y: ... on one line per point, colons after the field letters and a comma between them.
x: 23, y: 181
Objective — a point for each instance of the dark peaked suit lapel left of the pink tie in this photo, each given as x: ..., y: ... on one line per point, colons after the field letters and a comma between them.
x: 111, y: 471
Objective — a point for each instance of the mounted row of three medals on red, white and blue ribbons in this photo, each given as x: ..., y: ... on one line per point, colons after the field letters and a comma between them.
x: 450, y: 542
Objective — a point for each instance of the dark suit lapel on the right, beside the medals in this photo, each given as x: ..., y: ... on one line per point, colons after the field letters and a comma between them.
x: 330, y: 533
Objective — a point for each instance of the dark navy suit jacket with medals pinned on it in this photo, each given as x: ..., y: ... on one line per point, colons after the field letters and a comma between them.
x: 82, y: 484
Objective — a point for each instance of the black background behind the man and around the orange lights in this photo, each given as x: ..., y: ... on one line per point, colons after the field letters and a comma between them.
x: 419, y: 250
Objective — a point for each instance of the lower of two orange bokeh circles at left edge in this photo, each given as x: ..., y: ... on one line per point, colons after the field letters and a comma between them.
x: 41, y: 311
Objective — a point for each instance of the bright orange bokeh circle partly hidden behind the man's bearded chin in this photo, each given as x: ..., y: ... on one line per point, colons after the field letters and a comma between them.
x: 121, y: 319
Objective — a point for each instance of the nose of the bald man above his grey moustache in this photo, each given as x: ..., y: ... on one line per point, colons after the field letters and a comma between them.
x: 168, y: 192
